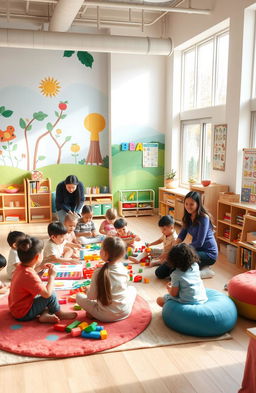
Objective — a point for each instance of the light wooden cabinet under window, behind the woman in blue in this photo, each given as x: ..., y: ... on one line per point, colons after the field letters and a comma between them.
x: 171, y: 201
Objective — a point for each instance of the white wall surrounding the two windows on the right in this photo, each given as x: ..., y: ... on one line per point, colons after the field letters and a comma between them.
x: 237, y: 111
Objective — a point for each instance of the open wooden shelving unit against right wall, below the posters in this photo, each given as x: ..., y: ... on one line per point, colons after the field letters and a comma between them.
x: 235, y: 221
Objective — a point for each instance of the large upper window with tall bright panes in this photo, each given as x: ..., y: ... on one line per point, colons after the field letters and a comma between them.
x: 204, y: 74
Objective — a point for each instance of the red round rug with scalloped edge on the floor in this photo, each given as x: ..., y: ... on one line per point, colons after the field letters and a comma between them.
x: 41, y: 340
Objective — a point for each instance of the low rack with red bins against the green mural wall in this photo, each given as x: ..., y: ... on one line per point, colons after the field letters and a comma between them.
x: 136, y: 202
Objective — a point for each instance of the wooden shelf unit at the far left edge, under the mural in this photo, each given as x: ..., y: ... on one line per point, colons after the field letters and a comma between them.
x: 13, y: 206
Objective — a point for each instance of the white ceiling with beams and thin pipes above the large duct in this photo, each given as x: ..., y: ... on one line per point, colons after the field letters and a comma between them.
x: 62, y: 15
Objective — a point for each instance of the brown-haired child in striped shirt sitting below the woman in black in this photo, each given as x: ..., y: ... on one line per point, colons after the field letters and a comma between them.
x: 85, y: 229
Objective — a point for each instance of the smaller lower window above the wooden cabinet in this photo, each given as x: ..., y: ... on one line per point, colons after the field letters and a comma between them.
x: 196, y: 151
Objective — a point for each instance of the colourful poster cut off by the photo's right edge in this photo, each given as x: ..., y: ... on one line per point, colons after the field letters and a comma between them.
x: 248, y: 191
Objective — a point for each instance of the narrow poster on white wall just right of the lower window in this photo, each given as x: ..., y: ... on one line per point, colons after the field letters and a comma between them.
x: 219, y: 146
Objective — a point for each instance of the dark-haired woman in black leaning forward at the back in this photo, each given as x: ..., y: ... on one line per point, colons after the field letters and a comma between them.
x: 69, y: 197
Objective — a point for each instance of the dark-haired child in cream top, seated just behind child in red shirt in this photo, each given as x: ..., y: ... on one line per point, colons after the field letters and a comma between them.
x: 55, y: 250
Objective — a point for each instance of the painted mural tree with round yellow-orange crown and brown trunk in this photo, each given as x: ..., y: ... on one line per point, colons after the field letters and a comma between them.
x: 94, y: 123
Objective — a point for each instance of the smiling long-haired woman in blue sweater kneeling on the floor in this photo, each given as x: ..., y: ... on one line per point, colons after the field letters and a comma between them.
x: 197, y: 222
